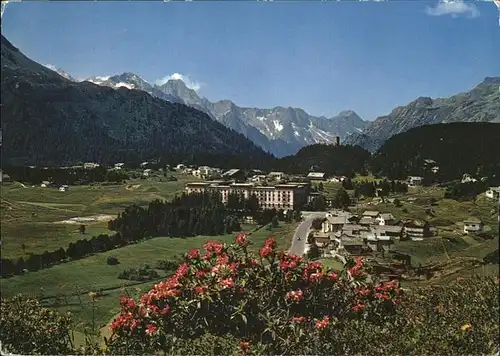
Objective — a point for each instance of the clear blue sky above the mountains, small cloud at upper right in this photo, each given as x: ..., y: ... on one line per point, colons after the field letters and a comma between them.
x: 323, y: 57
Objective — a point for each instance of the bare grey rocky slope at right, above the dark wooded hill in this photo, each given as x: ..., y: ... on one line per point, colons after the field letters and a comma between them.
x: 481, y: 104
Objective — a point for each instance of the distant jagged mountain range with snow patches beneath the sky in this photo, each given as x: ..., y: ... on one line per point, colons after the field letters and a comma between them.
x: 281, y: 131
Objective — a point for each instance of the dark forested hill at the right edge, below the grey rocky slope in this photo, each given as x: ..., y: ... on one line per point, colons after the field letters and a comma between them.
x: 455, y: 148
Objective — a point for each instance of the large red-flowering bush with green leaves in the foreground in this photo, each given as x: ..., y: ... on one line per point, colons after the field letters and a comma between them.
x: 272, y: 302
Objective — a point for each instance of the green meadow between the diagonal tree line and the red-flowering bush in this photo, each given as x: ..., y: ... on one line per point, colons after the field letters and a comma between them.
x: 92, y: 273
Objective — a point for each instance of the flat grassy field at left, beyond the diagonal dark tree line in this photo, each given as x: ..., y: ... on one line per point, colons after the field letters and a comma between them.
x: 30, y: 215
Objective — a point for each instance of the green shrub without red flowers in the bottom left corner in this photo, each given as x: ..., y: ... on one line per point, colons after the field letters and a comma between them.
x: 28, y: 328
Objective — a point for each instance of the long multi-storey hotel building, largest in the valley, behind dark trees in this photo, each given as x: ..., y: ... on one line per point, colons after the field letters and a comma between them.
x: 279, y: 196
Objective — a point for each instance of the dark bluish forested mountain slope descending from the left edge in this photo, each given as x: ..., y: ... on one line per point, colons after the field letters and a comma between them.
x: 48, y: 119
